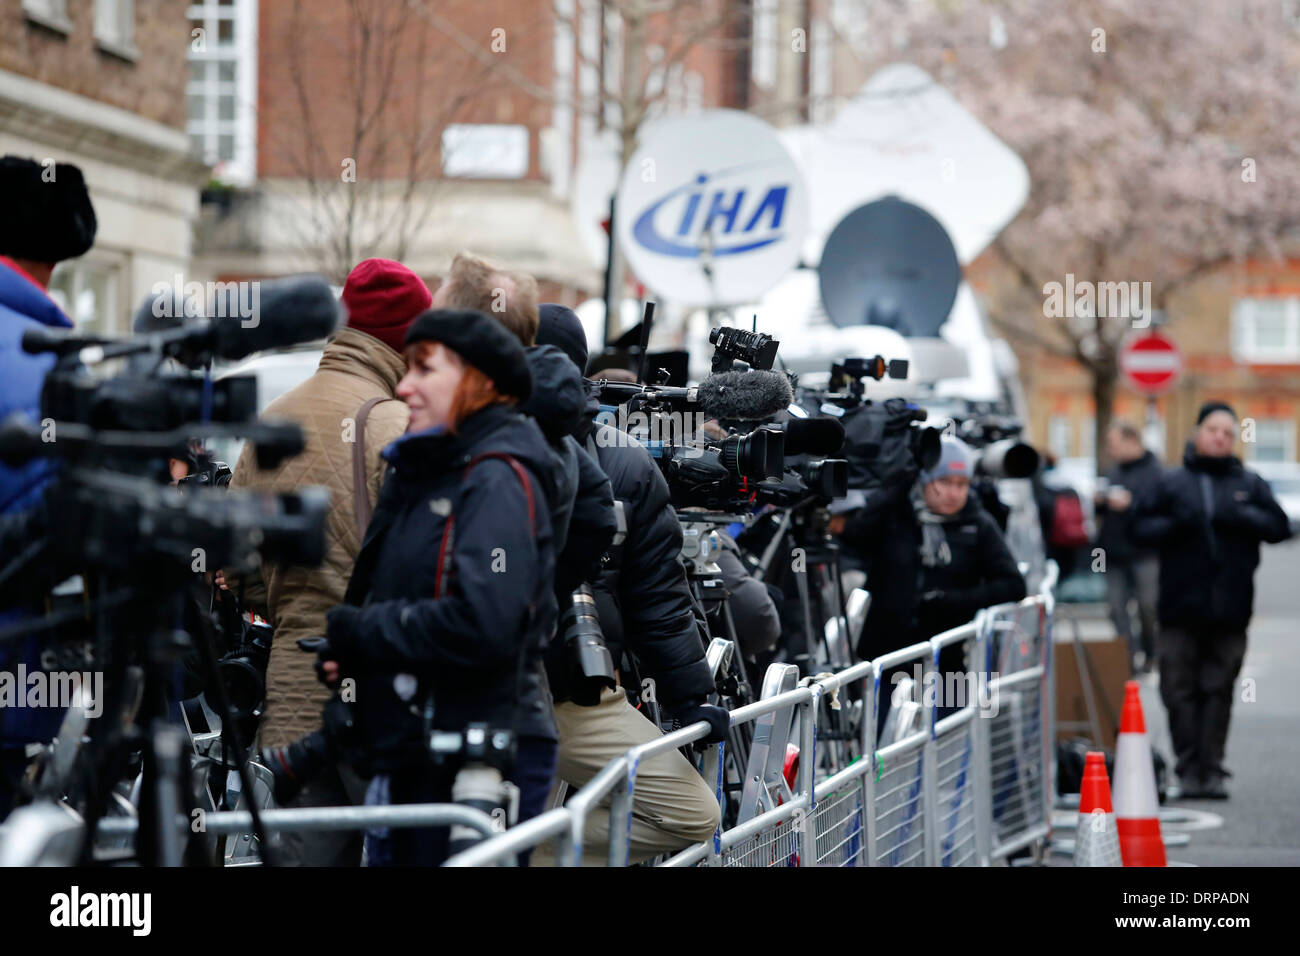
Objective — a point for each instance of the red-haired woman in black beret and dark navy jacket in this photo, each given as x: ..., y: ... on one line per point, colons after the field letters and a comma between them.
x: 450, y: 605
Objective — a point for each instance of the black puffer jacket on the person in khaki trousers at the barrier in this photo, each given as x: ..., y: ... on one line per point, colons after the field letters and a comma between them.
x: 643, y: 598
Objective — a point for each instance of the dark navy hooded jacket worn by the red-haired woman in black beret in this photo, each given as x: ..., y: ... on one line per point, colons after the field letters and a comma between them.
x: 467, y: 613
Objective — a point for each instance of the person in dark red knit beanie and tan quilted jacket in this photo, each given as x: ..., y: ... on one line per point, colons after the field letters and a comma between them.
x: 356, y: 384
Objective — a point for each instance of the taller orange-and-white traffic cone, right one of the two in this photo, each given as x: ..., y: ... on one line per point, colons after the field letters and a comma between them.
x: 1137, y: 806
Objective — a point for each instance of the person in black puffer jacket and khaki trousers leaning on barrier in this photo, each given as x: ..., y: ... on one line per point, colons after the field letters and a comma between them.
x: 644, y: 607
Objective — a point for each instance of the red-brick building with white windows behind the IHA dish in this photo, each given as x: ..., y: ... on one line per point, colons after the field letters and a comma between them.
x: 421, y: 129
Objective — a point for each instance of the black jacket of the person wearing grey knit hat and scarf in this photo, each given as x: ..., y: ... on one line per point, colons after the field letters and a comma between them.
x: 982, y: 573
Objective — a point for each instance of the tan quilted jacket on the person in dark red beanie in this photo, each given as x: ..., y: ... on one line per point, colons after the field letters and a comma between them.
x: 354, y: 369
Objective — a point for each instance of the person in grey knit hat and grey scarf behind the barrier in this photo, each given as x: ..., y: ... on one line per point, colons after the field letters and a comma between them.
x: 934, y: 557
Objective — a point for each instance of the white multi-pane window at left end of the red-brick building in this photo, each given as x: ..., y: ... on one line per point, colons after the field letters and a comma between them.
x: 222, y: 94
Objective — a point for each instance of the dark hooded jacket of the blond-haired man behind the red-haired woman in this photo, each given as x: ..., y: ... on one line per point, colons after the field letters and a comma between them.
x: 583, y: 520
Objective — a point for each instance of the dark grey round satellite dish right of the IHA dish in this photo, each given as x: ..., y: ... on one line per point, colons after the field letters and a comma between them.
x: 890, y: 263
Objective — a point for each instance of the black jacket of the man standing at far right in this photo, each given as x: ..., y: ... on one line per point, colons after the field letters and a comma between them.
x: 1208, y: 520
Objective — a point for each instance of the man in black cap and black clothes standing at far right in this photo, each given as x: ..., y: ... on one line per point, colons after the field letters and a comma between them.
x: 1207, y: 520
